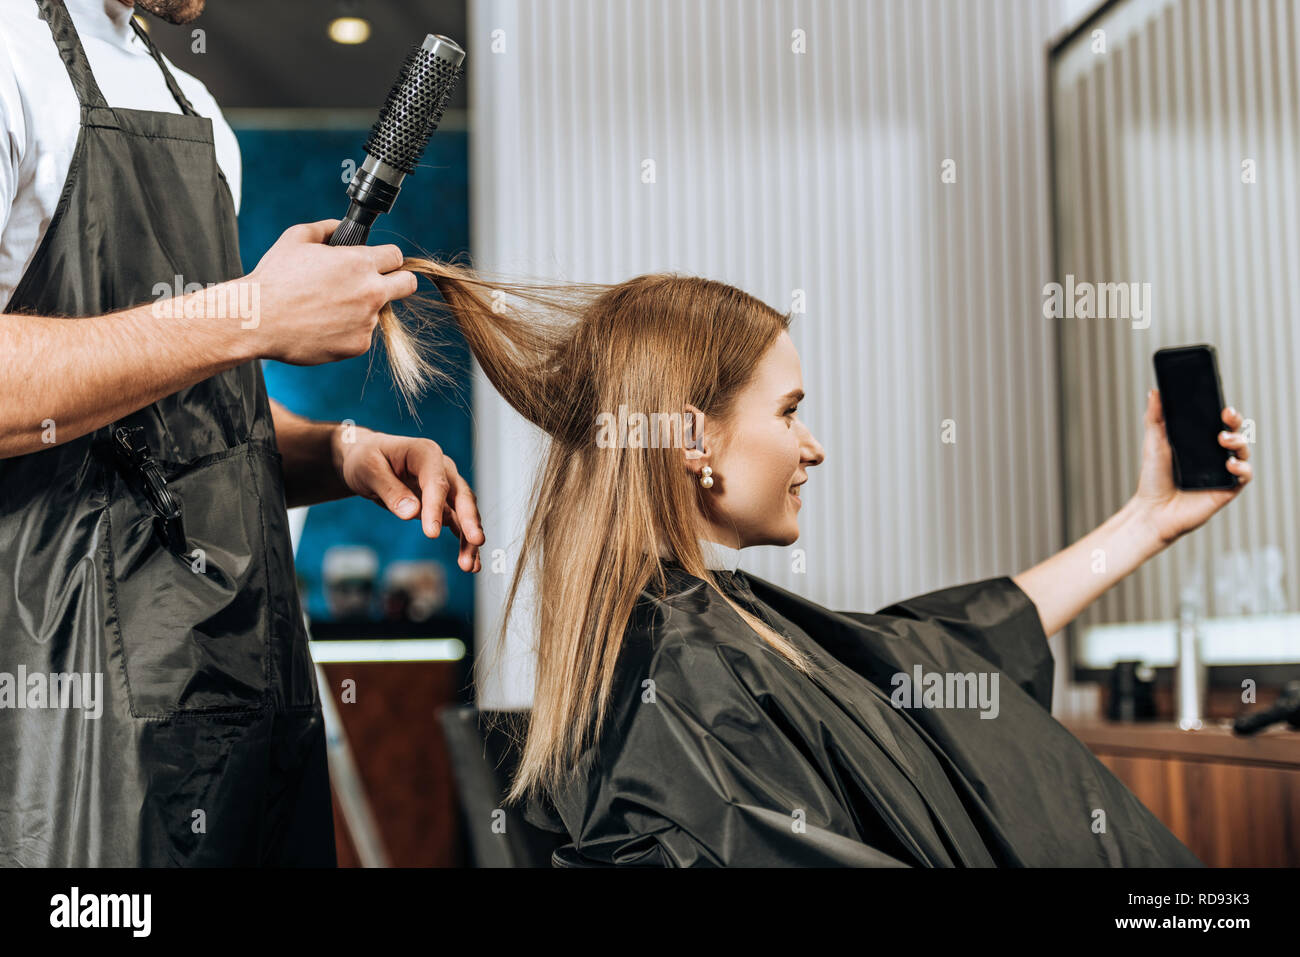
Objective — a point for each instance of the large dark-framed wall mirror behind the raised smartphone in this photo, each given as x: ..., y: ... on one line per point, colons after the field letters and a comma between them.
x: 1176, y: 164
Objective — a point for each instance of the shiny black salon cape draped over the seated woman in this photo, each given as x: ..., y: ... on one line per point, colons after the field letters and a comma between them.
x: 721, y: 754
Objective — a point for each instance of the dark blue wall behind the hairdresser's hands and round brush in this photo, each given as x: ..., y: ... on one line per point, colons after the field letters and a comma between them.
x: 296, y: 176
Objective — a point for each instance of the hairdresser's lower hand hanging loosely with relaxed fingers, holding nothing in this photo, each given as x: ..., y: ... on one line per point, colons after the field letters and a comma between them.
x: 411, y: 477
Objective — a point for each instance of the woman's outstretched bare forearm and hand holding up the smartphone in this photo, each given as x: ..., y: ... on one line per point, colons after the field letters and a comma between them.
x: 1156, y: 517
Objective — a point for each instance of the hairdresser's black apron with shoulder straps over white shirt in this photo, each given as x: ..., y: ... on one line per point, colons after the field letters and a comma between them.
x: 209, y: 747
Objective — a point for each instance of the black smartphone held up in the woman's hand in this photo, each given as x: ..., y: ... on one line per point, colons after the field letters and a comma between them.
x: 1193, y: 399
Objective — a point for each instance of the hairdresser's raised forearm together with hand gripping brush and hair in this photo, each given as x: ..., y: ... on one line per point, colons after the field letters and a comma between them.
x: 305, y: 304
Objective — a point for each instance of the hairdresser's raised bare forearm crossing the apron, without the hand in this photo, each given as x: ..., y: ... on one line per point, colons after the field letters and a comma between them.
x: 66, y: 378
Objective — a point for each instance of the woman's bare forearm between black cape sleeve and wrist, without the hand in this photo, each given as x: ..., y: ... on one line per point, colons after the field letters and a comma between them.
x: 1065, y: 584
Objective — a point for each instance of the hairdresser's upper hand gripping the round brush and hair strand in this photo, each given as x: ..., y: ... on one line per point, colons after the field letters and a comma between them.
x: 320, y: 304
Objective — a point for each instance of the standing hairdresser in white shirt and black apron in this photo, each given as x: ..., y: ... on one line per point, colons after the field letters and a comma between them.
x: 158, y: 703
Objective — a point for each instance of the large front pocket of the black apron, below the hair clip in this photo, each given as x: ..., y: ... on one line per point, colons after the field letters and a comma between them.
x: 194, y: 630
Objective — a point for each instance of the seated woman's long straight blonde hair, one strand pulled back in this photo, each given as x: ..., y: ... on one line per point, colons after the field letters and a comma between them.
x: 562, y: 354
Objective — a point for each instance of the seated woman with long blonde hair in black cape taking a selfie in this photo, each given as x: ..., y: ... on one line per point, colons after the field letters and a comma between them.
x: 687, y: 713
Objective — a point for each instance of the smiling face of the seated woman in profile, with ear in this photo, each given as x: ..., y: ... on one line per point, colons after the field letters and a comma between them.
x: 760, y: 457
